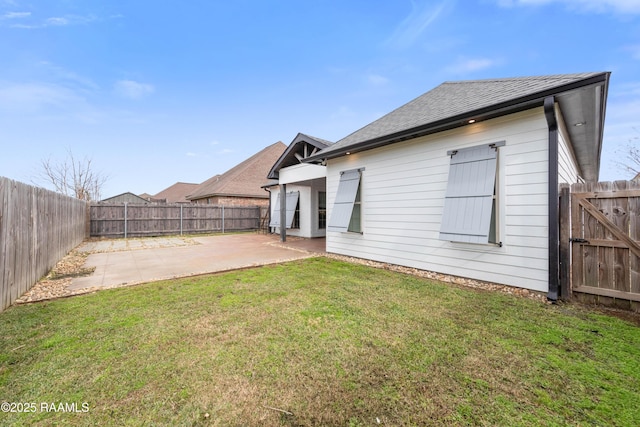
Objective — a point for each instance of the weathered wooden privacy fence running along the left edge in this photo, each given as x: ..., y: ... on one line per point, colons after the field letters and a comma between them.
x: 37, y: 229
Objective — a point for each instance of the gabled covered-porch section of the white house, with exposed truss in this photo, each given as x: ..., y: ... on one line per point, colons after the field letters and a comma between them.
x: 306, y: 200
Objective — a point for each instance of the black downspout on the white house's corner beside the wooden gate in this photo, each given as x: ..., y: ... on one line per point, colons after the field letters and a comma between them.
x: 553, y: 201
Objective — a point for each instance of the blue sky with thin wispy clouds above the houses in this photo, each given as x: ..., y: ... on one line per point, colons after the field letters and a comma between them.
x: 157, y: 92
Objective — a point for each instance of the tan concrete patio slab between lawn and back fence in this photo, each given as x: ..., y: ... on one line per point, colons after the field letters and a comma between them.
x: 209, y: 254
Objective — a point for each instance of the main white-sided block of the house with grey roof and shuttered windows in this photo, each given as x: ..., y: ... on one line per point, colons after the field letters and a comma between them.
x: 463, y: 180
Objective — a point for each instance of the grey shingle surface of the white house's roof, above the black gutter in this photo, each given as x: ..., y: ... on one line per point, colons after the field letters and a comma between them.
x: 455, y: 101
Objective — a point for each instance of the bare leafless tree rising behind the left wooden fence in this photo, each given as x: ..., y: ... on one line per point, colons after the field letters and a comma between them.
x: 73, y: 177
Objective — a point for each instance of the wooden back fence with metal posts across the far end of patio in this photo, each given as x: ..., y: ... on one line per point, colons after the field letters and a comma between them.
x: 140, y: 220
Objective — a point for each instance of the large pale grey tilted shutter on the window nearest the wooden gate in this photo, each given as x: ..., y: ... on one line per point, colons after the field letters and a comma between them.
x: 469, y: 199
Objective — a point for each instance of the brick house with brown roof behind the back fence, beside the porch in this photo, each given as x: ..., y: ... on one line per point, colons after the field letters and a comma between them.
x: 242, y: 184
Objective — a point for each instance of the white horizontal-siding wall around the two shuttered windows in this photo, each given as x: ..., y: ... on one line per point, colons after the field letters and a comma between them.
x: 403, y: 188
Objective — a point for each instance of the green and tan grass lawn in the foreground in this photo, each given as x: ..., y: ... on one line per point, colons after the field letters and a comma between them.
x: 316, y: 342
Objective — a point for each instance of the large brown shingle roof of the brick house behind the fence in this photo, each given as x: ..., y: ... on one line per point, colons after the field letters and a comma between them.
x: 243, y: 180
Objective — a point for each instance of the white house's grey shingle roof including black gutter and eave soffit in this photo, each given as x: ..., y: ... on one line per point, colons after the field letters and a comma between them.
x: 582, y: 99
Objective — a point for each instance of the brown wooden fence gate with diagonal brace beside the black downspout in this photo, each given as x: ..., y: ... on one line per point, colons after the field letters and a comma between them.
x: 605, y: 248
